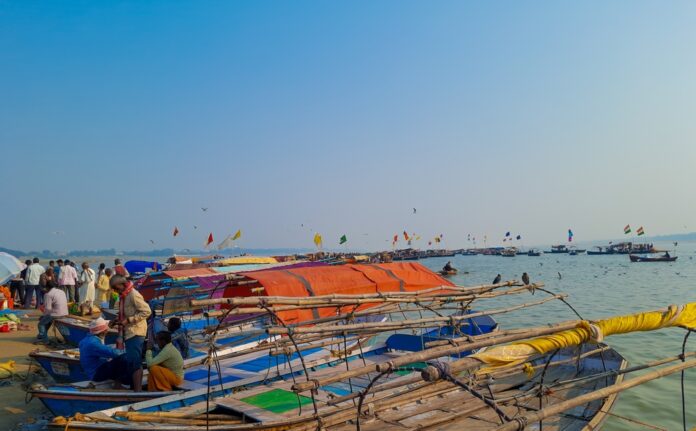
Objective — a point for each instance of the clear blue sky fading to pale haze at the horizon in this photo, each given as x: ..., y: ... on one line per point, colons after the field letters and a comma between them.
x: 119, y: 120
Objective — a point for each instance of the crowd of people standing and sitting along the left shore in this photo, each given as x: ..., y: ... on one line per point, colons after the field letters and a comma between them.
x: 53, y: 288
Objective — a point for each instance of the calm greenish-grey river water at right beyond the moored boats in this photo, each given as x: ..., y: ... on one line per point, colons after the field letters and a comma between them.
x: 598, y: 287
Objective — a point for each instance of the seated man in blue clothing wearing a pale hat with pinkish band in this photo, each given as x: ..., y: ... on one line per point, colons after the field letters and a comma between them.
x: 101, y: 362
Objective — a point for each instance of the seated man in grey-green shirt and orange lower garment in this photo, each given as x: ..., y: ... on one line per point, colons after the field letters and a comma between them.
x: 167, y: 368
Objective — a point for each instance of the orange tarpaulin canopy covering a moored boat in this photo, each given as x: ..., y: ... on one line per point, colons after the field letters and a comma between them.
x: 345, y: 279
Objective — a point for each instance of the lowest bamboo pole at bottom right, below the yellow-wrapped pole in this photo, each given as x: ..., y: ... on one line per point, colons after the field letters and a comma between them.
x: 555, y: 409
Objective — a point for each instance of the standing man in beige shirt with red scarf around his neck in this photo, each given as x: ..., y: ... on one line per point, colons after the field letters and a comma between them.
x: 133, y: 313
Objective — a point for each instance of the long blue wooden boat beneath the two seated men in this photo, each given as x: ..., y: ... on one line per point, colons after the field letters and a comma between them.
x: 240, y: 370
